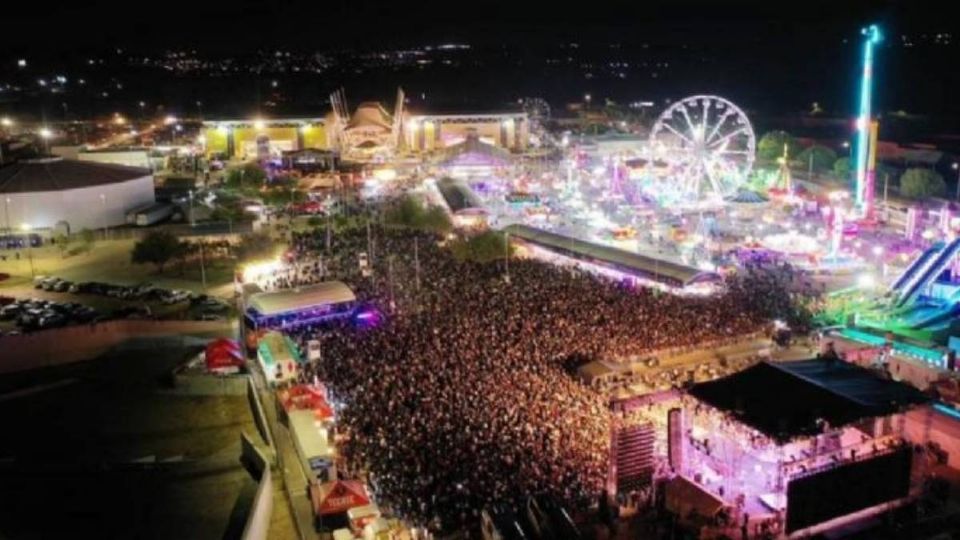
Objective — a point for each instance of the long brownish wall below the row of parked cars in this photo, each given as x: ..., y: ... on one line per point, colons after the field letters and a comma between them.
x: 61, y: 346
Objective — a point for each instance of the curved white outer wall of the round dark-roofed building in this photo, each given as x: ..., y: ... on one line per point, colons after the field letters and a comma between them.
x: 81, y: 208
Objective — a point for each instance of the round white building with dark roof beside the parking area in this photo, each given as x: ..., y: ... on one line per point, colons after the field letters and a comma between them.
x: 43, y: 193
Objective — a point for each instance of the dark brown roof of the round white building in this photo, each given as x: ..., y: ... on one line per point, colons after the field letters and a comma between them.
x: 57, y: 174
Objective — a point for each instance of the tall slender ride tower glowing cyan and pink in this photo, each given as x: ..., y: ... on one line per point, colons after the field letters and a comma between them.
x: 865, y: 195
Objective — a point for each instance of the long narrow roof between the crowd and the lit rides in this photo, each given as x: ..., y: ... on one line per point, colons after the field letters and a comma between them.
x: 656, y: 269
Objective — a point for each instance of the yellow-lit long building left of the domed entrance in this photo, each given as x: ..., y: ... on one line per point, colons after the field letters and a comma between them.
x: 263, y: 139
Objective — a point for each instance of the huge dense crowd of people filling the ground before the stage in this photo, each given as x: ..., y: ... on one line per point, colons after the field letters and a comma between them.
x: 463, y: 397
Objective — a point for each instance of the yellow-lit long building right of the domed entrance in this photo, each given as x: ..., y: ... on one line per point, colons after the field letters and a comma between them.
x: 426, y: 132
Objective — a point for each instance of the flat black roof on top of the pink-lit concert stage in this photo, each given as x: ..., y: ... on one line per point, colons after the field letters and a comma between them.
x: 787, y: 400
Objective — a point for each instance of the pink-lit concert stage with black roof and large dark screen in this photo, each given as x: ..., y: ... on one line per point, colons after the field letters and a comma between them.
x: 810, y: 443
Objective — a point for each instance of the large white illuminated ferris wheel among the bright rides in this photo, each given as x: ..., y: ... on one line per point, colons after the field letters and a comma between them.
x: 707, y: 143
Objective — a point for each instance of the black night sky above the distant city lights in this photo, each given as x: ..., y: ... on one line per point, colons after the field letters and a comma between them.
x: 245, y: 24
